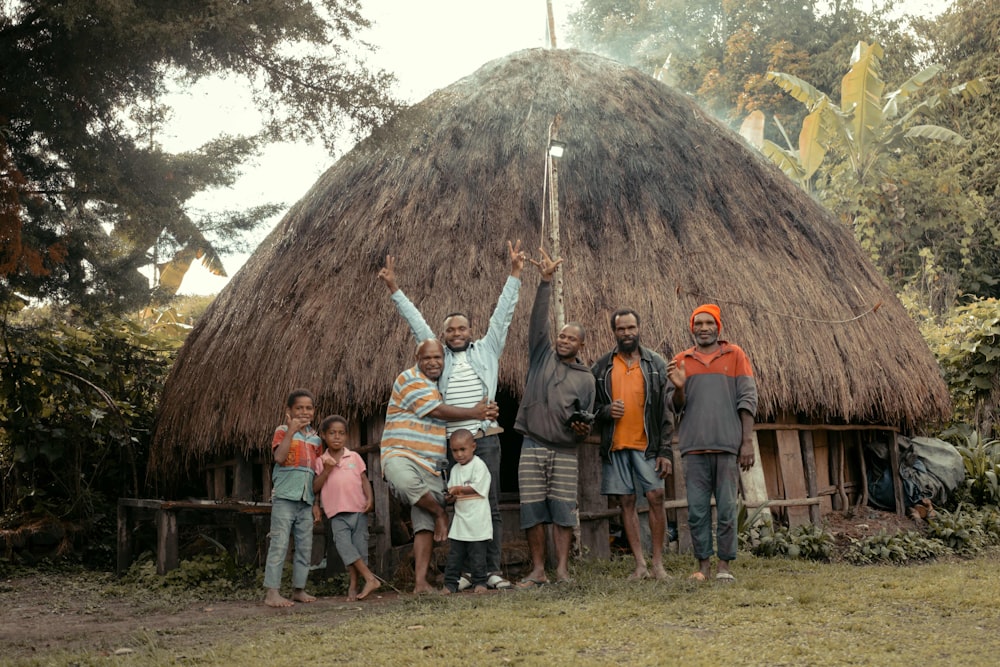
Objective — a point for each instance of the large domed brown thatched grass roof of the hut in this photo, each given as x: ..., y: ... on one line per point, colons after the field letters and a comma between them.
x: 662, y: 208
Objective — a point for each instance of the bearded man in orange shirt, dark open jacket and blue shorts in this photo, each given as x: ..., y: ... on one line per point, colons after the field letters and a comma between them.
x: 634, y: 412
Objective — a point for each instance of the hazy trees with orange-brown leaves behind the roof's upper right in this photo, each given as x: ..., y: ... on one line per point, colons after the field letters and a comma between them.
x: 720, y: 50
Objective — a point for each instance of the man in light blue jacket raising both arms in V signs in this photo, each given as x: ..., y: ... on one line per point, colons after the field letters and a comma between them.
x: 471, y: 370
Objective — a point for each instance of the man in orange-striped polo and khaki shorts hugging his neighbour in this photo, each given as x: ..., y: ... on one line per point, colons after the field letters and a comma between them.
x: 413, y: 450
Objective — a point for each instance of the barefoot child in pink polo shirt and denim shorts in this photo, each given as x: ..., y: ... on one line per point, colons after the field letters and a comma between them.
x: 346, y: 496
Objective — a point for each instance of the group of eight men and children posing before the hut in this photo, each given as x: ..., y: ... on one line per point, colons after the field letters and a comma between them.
x: 446, y: 403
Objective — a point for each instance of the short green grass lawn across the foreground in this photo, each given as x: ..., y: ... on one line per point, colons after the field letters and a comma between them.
x: 779, y: 612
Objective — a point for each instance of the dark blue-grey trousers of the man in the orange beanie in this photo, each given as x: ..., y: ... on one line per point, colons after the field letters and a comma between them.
x: 706, y: 475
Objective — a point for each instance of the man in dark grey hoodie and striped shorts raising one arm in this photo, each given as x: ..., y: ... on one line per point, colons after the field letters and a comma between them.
x: 553, y: 418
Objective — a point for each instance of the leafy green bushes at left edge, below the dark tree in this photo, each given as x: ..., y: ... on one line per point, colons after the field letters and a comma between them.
x: 77, y: 400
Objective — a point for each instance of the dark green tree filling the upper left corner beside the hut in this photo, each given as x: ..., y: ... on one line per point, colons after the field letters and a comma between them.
x: 86, y: 191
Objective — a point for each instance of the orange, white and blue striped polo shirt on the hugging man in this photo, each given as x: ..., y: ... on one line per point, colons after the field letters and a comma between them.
x: 409, y: 431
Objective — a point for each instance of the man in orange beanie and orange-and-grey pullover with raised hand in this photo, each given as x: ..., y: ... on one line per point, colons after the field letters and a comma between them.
x: 715, y: 388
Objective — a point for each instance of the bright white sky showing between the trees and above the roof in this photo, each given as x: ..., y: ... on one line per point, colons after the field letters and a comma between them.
x: 428, y: 44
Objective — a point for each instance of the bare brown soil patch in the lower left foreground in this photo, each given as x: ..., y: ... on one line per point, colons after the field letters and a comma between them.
x: 45, y: 613
